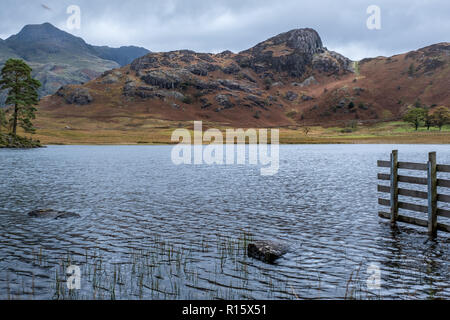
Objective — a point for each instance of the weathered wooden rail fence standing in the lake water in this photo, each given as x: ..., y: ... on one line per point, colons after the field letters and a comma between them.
x: 432, y: 195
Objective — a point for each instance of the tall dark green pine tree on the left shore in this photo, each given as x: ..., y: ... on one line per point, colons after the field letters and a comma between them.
x: 22, y: 94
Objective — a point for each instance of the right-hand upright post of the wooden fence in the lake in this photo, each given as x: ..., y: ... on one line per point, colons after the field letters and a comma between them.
x: 432, y: 195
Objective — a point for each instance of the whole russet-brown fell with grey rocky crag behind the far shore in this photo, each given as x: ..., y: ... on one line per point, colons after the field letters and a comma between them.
x: 288, y: 80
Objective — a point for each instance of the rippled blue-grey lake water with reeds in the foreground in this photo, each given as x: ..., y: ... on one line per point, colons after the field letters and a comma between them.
x: 150, y: 229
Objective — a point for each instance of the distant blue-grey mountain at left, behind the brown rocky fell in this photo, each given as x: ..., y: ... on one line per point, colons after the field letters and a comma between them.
x: 59, y: 58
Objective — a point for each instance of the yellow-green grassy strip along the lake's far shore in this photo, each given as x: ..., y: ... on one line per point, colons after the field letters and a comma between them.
x: 160, y: 134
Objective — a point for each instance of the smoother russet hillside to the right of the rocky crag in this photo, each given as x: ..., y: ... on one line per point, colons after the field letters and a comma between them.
x: 384, y: 87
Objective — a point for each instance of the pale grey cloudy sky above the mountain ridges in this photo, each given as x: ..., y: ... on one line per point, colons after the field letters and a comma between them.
x: 217, y: 25
